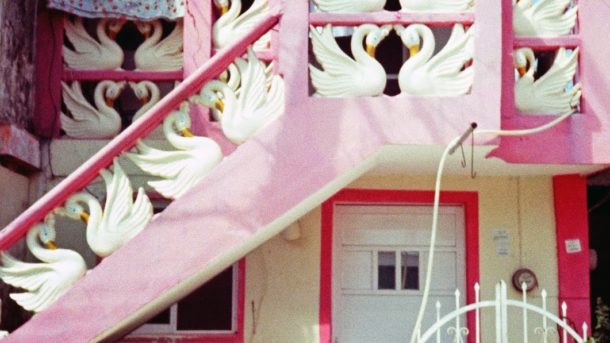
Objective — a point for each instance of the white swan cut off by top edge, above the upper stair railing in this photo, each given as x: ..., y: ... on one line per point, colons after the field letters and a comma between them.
x: 231, y: 24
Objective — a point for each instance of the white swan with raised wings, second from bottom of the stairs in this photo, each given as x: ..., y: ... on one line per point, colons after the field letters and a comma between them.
x: 119, y: 221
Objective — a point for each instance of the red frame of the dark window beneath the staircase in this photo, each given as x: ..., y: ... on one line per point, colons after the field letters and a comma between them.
x: 237, y: 337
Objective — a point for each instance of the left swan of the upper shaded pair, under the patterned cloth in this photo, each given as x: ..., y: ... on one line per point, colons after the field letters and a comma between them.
x: 88, y: 53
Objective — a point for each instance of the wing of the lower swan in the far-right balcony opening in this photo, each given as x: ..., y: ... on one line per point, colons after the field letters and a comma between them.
x: 560, y: 74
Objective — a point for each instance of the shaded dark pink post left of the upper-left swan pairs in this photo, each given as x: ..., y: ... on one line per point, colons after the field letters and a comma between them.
x: 49, y: 40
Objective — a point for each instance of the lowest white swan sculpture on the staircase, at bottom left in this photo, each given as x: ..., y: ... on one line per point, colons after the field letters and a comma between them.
x: 47, y: 281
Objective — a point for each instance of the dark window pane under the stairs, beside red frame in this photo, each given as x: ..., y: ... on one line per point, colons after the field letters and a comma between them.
x: 209, y: 307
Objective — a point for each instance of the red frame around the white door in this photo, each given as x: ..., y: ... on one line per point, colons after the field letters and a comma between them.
x: 469, y: 200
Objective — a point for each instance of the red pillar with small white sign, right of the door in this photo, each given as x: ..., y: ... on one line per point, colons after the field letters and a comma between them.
x: 572, y: 223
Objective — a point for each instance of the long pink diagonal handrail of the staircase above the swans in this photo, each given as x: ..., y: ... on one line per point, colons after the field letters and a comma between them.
x: 89, y: 170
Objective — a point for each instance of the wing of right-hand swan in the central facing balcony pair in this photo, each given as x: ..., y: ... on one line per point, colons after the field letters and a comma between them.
x: 451, y: 58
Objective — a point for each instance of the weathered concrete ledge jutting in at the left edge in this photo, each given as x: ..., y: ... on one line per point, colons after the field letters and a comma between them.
x: 20, y: 146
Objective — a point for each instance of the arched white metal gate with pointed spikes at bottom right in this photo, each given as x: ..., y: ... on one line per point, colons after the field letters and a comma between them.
x: 545, y: 328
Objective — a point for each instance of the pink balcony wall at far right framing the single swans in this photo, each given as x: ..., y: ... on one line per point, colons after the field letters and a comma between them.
x: 584, y: 138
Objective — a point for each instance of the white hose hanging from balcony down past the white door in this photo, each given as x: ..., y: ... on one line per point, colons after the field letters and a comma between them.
x: 437, y: 187
